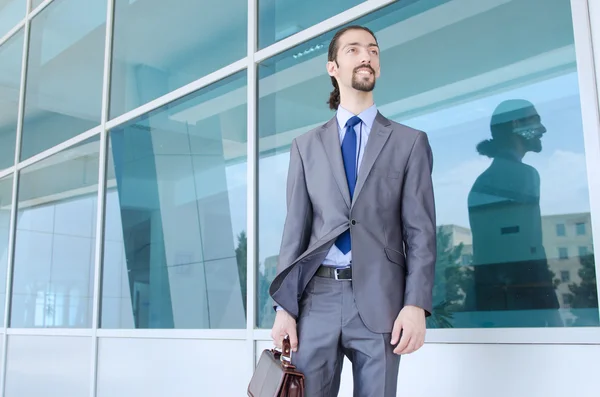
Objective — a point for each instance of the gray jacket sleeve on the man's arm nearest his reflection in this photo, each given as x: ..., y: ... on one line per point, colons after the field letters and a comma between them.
x: 418, y: 219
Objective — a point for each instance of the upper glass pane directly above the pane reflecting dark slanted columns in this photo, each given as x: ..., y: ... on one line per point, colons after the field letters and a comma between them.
x: 159, y: 47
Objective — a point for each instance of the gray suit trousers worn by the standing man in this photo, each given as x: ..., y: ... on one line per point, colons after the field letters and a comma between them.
x: 329, y: 327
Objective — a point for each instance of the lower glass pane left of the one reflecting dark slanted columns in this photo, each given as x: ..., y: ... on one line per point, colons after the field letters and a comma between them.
x: 55, y: 240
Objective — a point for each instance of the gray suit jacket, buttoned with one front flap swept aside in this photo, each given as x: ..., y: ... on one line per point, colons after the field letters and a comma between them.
x: 391, y: 218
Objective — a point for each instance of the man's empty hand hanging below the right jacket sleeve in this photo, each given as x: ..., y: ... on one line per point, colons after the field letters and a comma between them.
x: 411, y: 321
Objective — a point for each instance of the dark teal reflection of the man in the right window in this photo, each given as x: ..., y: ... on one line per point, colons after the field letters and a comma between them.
x: 510, y: 267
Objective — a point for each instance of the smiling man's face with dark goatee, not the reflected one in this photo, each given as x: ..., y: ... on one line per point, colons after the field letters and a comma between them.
x: 357, y: 63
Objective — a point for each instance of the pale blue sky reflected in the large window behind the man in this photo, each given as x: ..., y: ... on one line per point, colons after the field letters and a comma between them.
x: 454, y: 132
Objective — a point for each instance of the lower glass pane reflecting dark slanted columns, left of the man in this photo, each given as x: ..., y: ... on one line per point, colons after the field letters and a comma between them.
x: 175, y: 238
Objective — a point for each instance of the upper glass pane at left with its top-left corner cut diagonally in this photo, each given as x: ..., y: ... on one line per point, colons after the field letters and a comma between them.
x: 63, y: 96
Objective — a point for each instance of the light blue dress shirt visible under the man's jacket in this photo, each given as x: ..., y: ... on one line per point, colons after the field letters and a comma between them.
x: 335, y: 257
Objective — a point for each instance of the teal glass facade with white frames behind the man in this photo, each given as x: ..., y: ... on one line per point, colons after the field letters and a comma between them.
x: 160, y: 211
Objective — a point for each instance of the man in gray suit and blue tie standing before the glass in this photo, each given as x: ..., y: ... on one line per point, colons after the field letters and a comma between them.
x: 356, y: 264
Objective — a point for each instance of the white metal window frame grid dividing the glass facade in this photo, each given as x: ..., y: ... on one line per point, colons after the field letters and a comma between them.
x: 588, y: 67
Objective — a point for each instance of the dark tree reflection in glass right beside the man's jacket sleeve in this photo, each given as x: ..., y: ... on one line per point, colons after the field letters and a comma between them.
x: 451, y: 283
